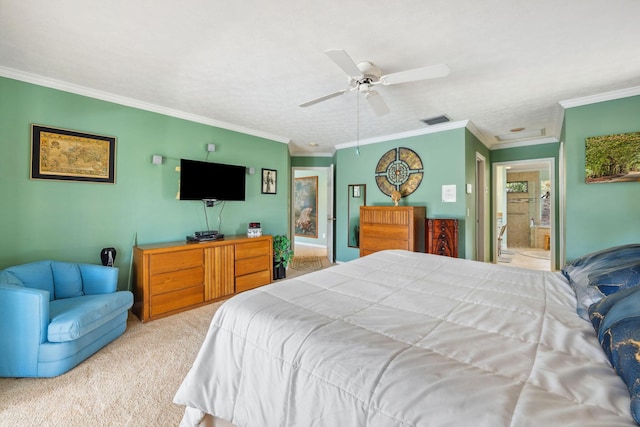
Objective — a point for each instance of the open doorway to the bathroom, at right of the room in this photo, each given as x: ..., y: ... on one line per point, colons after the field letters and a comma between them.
x: 524, y: 219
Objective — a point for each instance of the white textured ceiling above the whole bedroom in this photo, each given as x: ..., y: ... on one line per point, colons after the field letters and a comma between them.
x: 249, y: 64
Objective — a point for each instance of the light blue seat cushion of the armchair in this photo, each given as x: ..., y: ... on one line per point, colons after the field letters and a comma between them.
x: 72, y: 318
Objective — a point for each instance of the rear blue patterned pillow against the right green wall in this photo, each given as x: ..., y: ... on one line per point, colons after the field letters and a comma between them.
x: 602, y: 273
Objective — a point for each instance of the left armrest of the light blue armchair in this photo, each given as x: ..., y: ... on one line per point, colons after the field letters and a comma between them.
x: 24, y: 318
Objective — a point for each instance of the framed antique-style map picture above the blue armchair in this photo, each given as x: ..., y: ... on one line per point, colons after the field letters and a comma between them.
x: 68, y: 155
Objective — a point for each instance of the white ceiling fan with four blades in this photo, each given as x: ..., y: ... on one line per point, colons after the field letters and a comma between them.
x: 364, y: 76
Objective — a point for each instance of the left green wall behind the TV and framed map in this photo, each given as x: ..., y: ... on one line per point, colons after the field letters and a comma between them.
x: 72, y: 221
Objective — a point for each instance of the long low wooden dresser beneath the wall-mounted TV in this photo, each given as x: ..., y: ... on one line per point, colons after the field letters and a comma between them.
x: 177, y: 276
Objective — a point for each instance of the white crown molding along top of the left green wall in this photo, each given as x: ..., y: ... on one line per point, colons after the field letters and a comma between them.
x: 134, y: 103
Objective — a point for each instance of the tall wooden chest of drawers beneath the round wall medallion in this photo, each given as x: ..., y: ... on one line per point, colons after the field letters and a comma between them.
x: 391, y: 227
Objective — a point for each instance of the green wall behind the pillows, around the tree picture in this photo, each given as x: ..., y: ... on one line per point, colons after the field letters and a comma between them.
x: 599, y: 215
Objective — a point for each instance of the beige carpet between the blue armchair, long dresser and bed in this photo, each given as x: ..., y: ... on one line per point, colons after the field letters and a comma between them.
x: 130, y: 382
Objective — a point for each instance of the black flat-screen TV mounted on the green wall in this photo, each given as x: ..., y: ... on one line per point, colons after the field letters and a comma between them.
x: 211, y: 181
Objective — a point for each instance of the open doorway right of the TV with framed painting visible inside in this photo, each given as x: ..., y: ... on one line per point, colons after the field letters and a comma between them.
x: 320, y: 243
